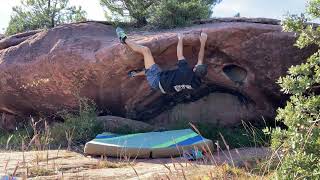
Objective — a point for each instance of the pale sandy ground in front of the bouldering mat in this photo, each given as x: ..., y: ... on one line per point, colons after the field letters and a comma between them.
x: 62, y: 164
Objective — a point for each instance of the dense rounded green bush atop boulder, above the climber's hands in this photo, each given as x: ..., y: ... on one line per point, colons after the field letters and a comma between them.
x: 171, y: 13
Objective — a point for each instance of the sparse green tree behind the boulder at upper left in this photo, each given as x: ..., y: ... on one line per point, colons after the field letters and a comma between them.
x: 37, y: 14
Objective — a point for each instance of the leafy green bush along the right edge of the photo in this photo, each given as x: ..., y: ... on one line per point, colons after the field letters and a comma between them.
x: 299, y: 144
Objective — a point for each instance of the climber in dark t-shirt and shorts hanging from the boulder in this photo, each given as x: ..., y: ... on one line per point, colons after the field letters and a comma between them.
x: 169, y: 81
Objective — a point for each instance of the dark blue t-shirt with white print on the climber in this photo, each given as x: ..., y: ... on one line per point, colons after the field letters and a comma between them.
x: 179, y: 79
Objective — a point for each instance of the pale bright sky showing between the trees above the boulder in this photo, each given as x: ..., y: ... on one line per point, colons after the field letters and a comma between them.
x: 227, y: 8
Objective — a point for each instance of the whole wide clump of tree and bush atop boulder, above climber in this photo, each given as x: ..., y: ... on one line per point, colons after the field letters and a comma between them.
x: 162, y: 13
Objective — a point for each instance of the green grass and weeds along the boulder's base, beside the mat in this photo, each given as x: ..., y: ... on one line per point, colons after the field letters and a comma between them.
x: 82, y: 126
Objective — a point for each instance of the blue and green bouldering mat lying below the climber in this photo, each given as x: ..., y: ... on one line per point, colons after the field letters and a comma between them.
x: 147, y: 145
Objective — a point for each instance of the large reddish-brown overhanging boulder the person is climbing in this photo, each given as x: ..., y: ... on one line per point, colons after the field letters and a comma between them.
x: 48, y: 70
